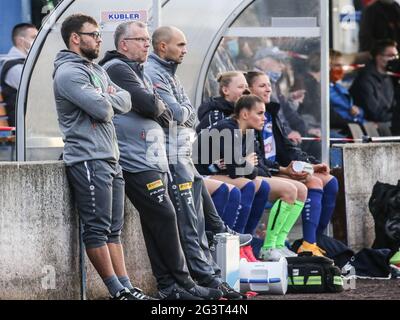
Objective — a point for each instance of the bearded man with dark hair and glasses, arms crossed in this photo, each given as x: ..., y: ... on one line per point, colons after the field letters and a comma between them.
x: 86, y: 102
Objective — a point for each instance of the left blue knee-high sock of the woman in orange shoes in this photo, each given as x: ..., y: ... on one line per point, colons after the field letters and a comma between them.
x: 311, y: 214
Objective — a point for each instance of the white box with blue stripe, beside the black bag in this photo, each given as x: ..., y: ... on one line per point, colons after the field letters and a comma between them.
x: 264, y: 277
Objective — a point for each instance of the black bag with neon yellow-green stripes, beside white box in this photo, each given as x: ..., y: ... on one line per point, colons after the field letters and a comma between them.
x: 308, y: 274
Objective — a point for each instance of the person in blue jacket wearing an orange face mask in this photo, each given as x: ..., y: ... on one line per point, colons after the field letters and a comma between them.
x: 342, y: 108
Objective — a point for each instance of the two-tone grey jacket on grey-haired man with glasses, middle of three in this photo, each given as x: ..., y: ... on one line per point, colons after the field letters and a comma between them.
x: 141, y: 138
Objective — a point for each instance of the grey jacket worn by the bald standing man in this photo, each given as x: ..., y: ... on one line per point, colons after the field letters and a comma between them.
x: 168, y: 86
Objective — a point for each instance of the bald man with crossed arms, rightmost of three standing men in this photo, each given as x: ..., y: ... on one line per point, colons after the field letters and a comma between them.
x: 187, y: 185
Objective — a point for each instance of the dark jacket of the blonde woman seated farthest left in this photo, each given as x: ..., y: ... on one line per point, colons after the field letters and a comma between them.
x: 212, y: 111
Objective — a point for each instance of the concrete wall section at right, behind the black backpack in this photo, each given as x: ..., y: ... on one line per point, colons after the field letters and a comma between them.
x: 364, y: 165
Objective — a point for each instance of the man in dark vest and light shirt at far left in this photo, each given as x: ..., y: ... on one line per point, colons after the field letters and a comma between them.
x: 23, y: 35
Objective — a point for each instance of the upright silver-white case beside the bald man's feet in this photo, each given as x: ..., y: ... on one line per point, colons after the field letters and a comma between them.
x: 227, y: 256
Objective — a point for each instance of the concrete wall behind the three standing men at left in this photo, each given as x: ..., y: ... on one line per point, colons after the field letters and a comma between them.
x: 39, y: 244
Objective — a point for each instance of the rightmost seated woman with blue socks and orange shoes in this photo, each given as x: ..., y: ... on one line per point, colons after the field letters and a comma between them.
x: 276, y: 148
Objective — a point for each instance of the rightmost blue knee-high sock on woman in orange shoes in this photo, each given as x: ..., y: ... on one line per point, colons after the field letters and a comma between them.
x: 328, y: 204
